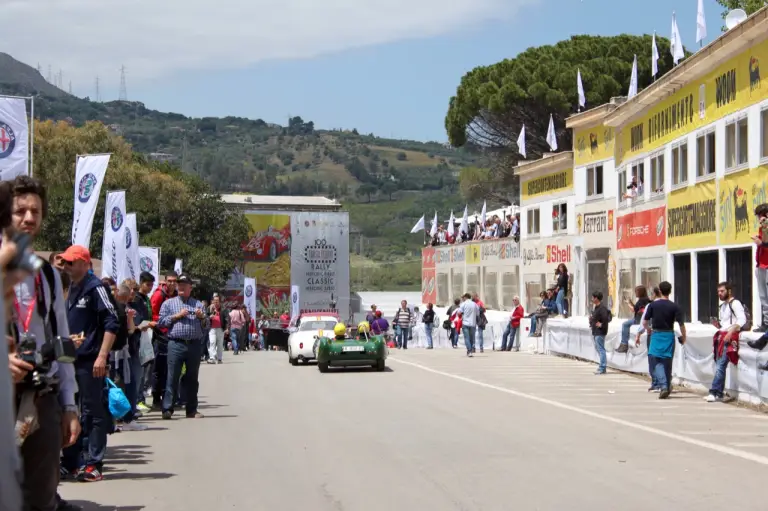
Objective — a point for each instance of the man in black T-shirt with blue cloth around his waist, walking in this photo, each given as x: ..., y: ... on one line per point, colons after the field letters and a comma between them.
x: 660, y: 316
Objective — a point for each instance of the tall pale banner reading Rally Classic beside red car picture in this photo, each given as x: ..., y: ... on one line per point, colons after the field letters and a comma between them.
x: 320, y: 260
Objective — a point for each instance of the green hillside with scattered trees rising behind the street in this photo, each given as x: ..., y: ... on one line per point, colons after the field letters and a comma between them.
x: 387, y: 184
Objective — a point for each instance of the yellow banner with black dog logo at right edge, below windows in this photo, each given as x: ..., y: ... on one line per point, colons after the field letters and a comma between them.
x: 739, y: 195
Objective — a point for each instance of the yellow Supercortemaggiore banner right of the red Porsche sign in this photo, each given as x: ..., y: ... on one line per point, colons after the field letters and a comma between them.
x: 692, y: 217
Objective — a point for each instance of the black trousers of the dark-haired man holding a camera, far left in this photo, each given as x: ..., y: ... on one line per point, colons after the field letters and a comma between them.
x: 40, y: 456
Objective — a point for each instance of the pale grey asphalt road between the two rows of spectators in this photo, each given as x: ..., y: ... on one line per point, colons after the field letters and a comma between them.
x: 437, y: 431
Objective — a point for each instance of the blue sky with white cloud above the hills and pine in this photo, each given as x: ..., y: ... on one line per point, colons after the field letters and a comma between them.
x: 383, y: 66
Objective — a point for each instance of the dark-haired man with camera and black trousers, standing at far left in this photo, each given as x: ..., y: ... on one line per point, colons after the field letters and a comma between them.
x: 39, y: 316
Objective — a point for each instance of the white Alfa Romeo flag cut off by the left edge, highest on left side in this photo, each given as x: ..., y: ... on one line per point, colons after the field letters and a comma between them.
x: 14, y: 138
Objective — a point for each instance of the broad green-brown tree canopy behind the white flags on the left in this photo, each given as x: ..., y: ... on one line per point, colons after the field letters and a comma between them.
x: 175, y: 211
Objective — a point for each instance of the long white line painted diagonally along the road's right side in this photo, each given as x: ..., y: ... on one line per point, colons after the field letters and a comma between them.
x: 722, y: 449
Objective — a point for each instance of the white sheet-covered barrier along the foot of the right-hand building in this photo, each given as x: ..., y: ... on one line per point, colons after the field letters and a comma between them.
x: 693, y: 363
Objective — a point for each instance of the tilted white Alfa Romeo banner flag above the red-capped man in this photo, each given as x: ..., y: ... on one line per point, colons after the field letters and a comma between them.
x: 89, y: 175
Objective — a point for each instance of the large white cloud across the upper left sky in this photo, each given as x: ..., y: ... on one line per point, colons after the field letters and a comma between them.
x: 151, y: 38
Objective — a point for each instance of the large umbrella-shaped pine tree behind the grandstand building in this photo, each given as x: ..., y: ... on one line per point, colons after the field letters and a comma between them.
x: 493, y: 102
